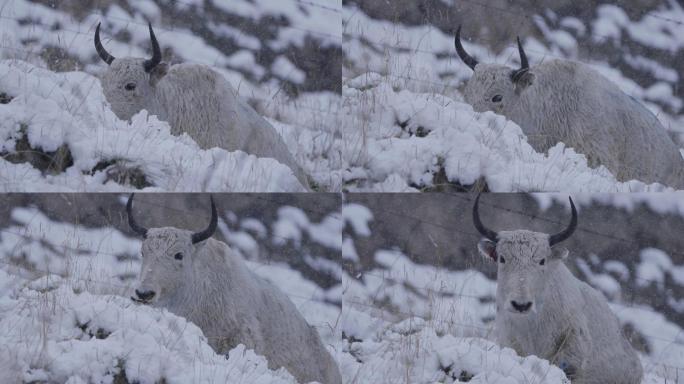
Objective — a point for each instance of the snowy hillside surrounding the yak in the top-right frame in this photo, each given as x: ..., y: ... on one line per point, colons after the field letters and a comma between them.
x: 402, y: 84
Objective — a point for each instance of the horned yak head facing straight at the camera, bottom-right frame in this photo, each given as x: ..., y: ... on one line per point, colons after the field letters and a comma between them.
x: 526, y: 262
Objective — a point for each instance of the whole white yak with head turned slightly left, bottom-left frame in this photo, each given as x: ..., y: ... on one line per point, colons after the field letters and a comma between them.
x: 203, y: 280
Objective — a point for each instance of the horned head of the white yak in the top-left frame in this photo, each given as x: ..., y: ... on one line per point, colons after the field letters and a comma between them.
x: 128, y: 83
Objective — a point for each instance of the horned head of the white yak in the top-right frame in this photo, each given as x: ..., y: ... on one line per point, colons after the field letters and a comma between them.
x: 494, y: 87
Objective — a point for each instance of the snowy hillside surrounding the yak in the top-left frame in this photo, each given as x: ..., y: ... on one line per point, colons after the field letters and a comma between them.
x: 58, y: 133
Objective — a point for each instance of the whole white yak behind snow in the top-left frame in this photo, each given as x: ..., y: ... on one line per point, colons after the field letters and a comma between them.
x: 193, y: 99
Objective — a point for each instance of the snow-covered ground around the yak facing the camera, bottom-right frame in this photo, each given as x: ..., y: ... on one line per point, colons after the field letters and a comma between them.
x: 409, y: 322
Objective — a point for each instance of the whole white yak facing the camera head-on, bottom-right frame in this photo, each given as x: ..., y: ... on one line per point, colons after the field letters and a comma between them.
x: 543, y: 310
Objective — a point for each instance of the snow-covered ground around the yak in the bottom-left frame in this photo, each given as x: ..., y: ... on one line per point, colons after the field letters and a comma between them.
x: 66, y: 315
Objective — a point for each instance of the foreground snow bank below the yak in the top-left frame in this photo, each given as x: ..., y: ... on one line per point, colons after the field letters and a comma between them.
x: 53, y: 109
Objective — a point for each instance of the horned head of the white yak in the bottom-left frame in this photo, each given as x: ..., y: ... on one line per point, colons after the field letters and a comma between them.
x: 167, y: 257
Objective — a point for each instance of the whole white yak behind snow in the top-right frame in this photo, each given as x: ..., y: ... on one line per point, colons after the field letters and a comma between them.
x: 567, y: 101
